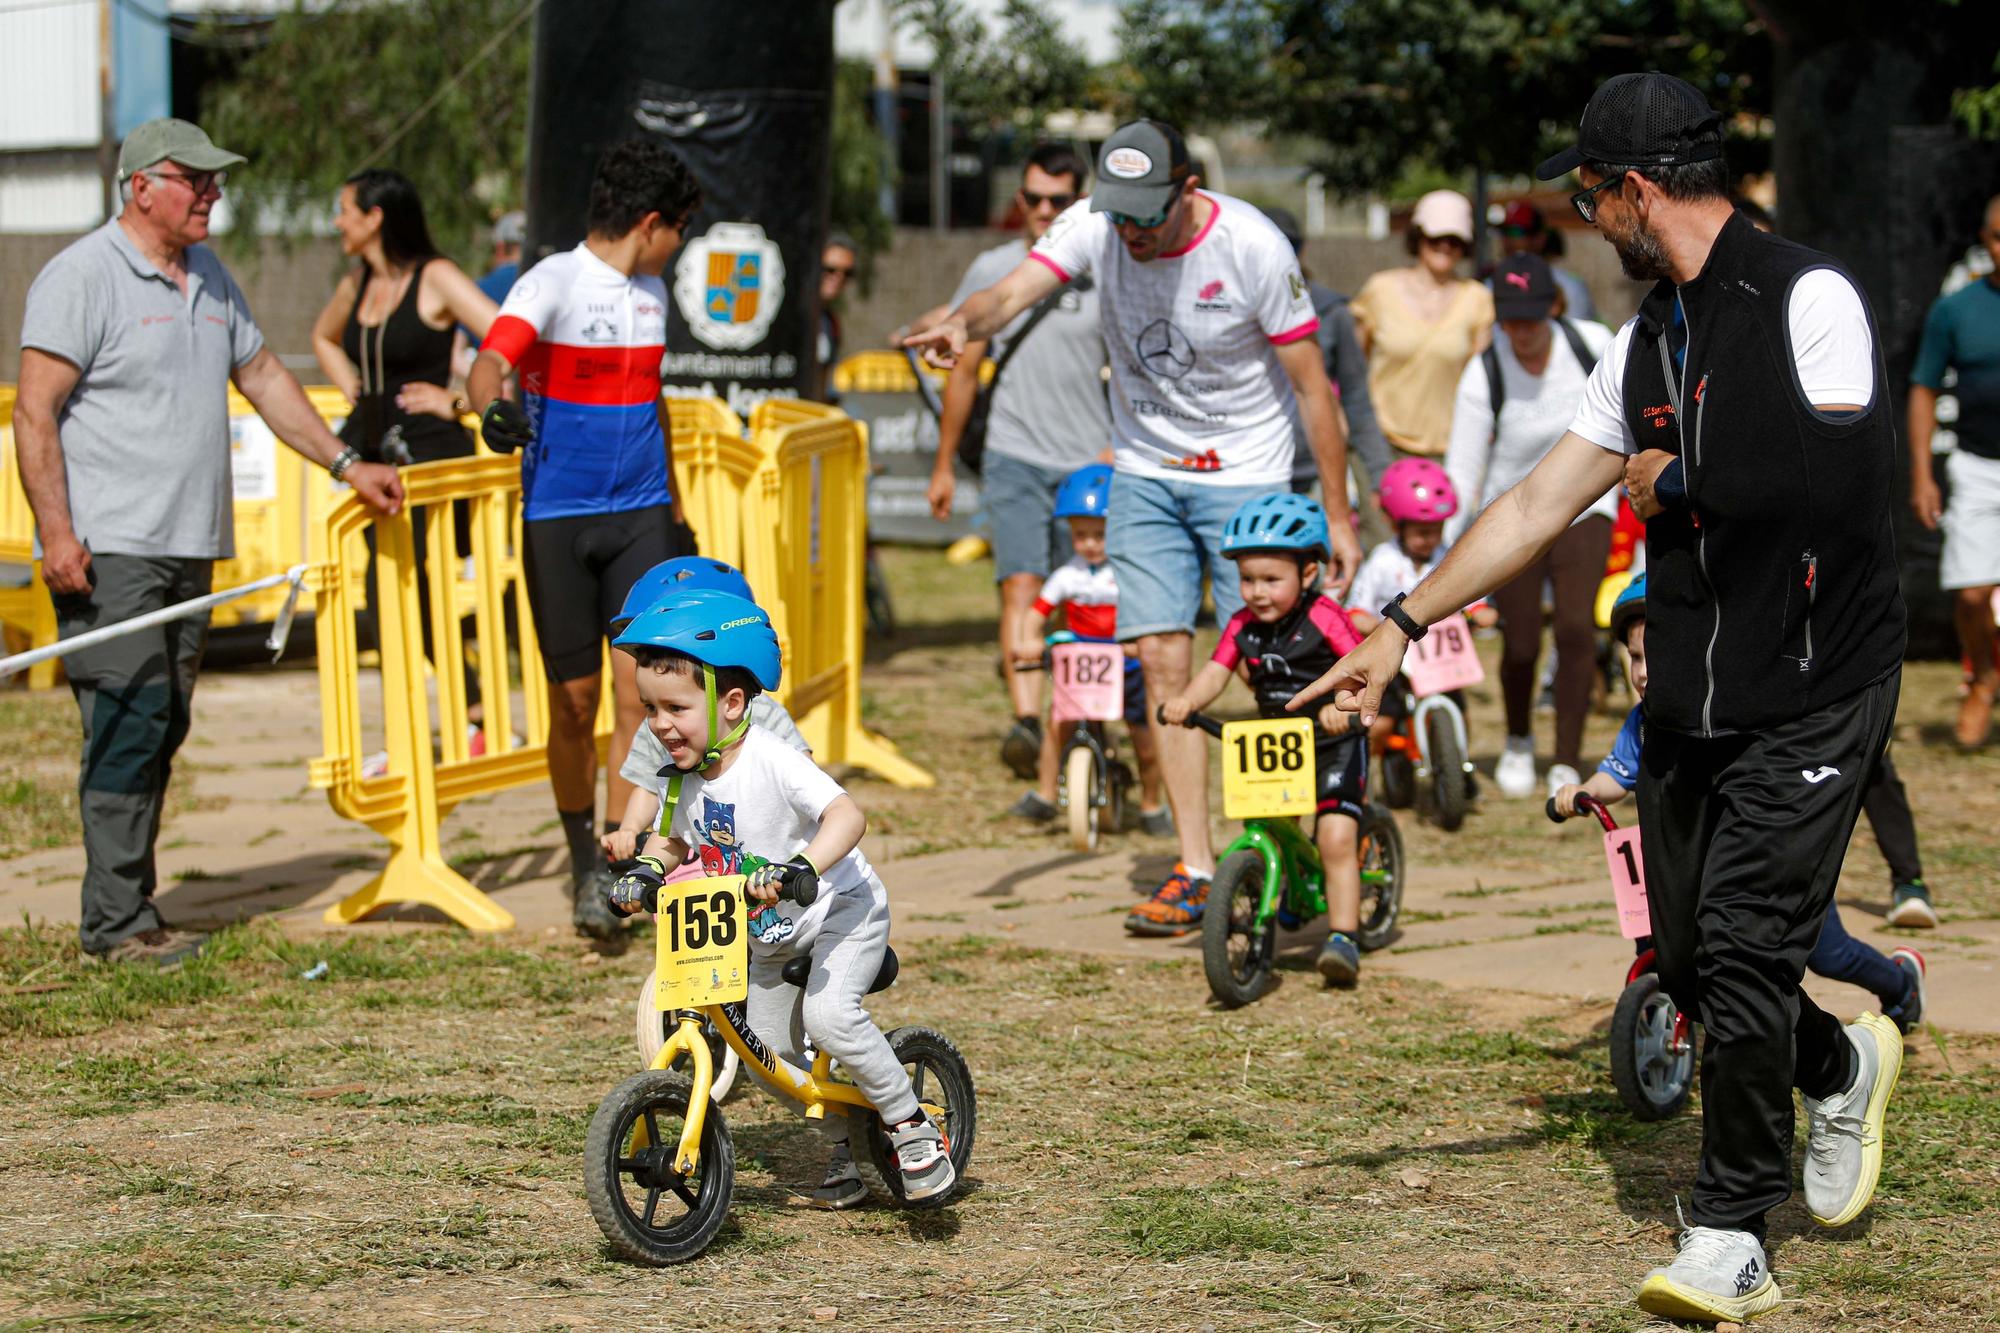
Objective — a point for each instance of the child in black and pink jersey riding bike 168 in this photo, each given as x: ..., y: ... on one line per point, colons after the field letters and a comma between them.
x: 1287, y: 635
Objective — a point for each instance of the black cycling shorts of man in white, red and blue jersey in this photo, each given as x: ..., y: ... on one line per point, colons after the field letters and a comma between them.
x: 579, y: 573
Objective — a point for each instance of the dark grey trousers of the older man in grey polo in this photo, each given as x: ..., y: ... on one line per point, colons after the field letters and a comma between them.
x: 135, y: 696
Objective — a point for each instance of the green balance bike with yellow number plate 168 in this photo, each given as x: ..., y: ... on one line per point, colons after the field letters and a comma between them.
x: 1271, y: 878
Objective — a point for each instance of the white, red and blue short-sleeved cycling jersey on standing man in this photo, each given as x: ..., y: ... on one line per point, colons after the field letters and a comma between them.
x: 587, y: 343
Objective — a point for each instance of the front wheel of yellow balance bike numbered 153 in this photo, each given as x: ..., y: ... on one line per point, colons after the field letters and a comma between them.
x: 649, y: 1212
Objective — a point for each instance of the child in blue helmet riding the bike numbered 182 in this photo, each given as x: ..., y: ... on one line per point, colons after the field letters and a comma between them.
x: 1087, y: 593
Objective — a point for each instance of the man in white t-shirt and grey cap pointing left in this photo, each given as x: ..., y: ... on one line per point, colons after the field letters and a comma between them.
x: 1209, y: 327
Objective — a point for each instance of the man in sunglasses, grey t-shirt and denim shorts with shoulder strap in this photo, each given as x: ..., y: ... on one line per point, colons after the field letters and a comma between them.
x: 1049, y: 417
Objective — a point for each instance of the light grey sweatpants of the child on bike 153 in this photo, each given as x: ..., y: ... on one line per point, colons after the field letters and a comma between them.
x: 847, y: 956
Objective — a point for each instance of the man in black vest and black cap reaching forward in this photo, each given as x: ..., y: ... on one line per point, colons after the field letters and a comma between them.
x: 1747, y: 411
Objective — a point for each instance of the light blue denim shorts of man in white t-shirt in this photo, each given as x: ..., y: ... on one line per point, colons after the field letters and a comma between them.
x: 1161, y: 537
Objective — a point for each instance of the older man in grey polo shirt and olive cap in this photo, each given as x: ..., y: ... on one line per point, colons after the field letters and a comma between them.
x: 121, y: 423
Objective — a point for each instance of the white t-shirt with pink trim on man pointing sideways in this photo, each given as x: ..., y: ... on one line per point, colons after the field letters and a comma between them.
x: 1197, y: 389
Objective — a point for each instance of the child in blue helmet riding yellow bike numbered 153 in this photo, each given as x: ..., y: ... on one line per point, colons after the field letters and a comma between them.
x: 753, y: 806
